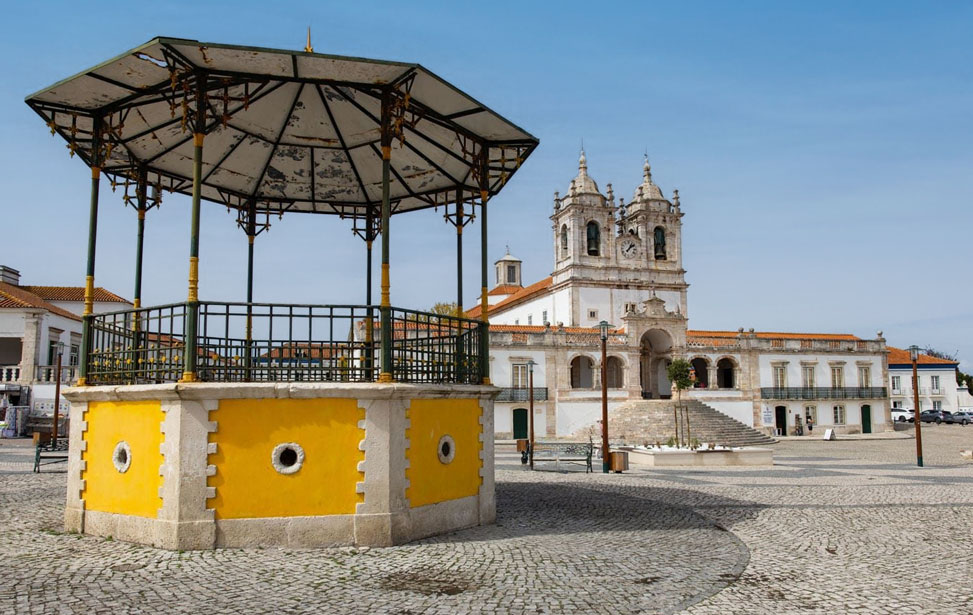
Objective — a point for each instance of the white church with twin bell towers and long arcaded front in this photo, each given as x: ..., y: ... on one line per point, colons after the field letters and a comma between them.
x: 622, y: 263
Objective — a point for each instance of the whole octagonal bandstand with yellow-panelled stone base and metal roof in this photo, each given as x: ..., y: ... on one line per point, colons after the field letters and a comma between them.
x: 203, y: 424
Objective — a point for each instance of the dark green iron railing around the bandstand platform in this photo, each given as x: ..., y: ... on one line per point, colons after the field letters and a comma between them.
x: 263, y: 342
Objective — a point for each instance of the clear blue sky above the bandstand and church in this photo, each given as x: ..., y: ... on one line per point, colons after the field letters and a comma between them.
x: 822, y: 151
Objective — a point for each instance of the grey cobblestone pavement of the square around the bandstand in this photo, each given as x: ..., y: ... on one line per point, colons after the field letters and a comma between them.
x: 833, y: 527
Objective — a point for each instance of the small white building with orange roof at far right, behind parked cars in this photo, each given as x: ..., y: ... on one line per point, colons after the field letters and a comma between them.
x: 937, y: 383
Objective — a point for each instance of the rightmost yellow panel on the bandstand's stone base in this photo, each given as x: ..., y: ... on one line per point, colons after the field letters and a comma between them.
x: 431, y: 480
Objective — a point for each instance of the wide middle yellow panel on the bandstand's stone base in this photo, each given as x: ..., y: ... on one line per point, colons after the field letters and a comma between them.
x: 247, y: 484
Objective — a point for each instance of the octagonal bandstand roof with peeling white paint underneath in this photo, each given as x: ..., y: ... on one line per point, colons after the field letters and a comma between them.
x: 290, y: 130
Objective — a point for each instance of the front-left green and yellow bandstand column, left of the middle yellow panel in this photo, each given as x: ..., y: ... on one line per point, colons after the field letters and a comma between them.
x: 192, y: 299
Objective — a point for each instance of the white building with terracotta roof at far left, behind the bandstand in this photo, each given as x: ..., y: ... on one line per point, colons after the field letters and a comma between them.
x: 33, y: 320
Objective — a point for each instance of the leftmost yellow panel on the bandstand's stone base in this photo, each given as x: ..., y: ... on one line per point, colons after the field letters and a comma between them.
x: 136, y: 491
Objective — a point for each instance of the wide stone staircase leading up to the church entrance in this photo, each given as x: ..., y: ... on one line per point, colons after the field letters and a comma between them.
x: 651, y: 421
